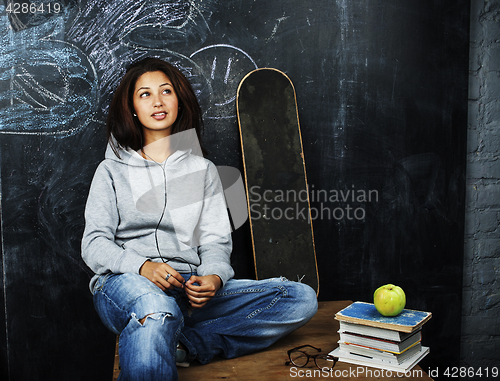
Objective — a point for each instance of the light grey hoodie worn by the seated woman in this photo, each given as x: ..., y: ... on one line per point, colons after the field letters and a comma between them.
x: 173, y: 211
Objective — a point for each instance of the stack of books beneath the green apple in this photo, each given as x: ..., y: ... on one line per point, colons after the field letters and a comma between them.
x: 370, y: 339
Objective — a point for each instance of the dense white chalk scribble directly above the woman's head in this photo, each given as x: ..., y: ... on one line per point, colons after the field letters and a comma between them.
x: 114, y: 34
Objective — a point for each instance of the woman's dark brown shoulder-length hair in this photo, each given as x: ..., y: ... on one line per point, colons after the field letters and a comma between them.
x: 127, y: 130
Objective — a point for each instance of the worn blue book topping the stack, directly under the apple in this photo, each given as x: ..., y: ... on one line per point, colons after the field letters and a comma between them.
x: 366, y: 314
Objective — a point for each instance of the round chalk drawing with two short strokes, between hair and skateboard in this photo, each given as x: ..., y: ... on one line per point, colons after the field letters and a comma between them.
x: 224, y: 66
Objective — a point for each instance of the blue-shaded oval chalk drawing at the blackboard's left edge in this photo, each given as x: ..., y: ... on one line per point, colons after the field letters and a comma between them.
x: 47, y: 86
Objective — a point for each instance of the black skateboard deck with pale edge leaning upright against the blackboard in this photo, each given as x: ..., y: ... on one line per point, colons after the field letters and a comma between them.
x: 275, y: 178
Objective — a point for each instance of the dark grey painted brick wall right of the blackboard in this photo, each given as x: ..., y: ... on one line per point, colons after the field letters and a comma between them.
x: 481, y: 293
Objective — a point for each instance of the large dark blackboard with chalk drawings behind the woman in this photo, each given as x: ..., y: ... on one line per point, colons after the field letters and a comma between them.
x: 382, y: 95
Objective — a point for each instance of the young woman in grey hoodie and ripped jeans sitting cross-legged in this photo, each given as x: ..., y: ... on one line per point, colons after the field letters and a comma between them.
x: 158, y: 239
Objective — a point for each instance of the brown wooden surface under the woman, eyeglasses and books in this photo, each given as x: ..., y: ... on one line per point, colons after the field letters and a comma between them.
x: 269, y: 364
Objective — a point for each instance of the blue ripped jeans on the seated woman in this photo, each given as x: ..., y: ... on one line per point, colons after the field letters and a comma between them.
x: 243, y: 317
